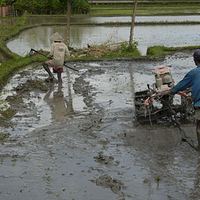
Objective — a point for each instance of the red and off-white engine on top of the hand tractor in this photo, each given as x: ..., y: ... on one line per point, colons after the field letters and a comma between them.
x: 164, y: 80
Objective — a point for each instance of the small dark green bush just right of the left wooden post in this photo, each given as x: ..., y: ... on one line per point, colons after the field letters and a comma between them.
x: 80, y: 7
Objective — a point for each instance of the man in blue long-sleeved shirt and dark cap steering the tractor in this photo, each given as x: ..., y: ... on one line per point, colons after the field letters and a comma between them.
x: 192, y: 79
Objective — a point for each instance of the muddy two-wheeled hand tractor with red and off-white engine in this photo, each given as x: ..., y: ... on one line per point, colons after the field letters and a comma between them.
x: 157, y: 104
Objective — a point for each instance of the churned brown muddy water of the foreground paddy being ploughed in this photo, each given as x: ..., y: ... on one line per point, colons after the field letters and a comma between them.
x: 80, y: 140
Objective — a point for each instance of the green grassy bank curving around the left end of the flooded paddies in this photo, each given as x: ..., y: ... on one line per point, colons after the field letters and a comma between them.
x: 11, y: 61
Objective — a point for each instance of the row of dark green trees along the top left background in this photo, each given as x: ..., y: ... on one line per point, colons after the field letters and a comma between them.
x: 45, y: 7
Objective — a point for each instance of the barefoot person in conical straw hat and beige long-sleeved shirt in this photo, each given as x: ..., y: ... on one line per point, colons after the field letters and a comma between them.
x: 59, y: 54
